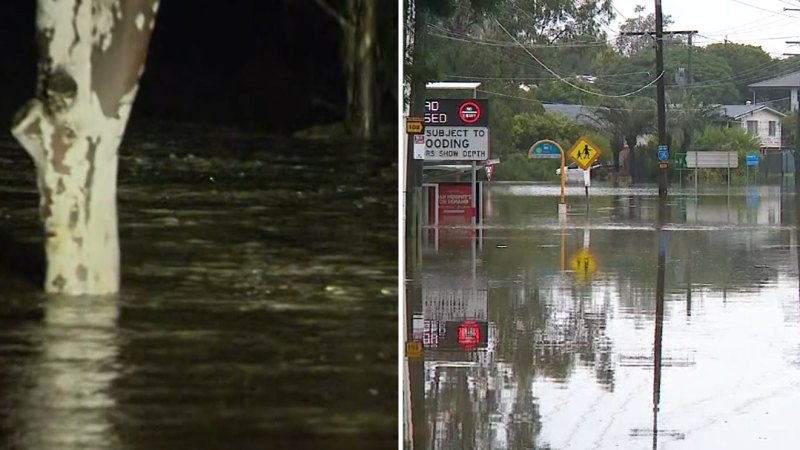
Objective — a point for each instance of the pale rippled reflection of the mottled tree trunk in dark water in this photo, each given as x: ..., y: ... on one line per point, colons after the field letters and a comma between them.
x: 68, y: 404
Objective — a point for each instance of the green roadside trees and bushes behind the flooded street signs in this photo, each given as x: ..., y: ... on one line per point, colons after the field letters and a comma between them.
x: 528, y: 55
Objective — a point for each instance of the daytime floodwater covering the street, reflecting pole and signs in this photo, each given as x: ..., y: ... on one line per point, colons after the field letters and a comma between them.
x: 546, y: 335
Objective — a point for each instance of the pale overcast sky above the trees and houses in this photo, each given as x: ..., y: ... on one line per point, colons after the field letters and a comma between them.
x: 757, y: 22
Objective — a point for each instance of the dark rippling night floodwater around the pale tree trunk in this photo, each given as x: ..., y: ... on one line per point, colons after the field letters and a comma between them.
x: 258, y: 307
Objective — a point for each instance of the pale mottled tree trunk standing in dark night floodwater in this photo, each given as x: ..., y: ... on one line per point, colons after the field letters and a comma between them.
x: 91, y: 55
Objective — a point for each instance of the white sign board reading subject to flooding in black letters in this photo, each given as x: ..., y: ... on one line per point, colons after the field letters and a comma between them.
x: 456, y: 143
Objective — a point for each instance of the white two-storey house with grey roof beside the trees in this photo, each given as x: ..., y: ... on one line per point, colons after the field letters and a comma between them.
x: 758, y: 120
